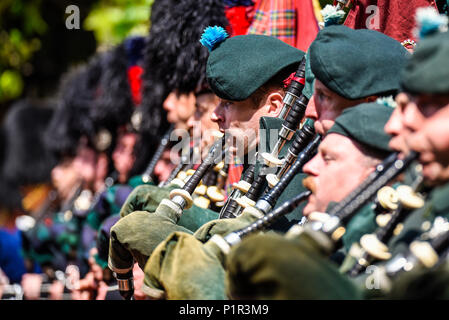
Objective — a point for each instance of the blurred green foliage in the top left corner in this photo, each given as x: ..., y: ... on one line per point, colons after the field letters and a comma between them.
x: 36, y: 47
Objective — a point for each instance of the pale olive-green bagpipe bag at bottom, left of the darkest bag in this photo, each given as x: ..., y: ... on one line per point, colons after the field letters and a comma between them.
x: 183, y: 268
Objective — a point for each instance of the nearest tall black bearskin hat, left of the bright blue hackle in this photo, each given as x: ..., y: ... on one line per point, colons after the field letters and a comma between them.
x: 173, y: 53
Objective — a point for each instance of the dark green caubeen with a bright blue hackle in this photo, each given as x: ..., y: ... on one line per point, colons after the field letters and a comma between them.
x: 239, y: 65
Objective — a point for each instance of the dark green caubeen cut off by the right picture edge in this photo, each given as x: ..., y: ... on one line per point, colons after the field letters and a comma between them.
x: 427, y: 69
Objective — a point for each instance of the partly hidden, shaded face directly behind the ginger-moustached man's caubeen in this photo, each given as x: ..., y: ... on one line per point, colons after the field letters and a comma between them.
x: 325, y: 106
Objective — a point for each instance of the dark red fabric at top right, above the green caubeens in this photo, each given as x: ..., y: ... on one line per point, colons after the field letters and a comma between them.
x: 396, y: 18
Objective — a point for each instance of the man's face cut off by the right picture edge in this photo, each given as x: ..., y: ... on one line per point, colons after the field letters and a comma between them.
x: 431, y: 137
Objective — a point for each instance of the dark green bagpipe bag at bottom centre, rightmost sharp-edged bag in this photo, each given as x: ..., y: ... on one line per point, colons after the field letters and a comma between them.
x: 269, y: 266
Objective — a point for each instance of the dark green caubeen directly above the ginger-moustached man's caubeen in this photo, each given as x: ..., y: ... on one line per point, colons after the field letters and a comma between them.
x: 357, y: 63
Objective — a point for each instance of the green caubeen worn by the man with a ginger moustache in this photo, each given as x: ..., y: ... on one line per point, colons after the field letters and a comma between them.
x: 365, y: 124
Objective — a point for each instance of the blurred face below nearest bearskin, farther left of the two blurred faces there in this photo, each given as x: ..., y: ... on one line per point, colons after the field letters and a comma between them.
x: 180, y: 108
